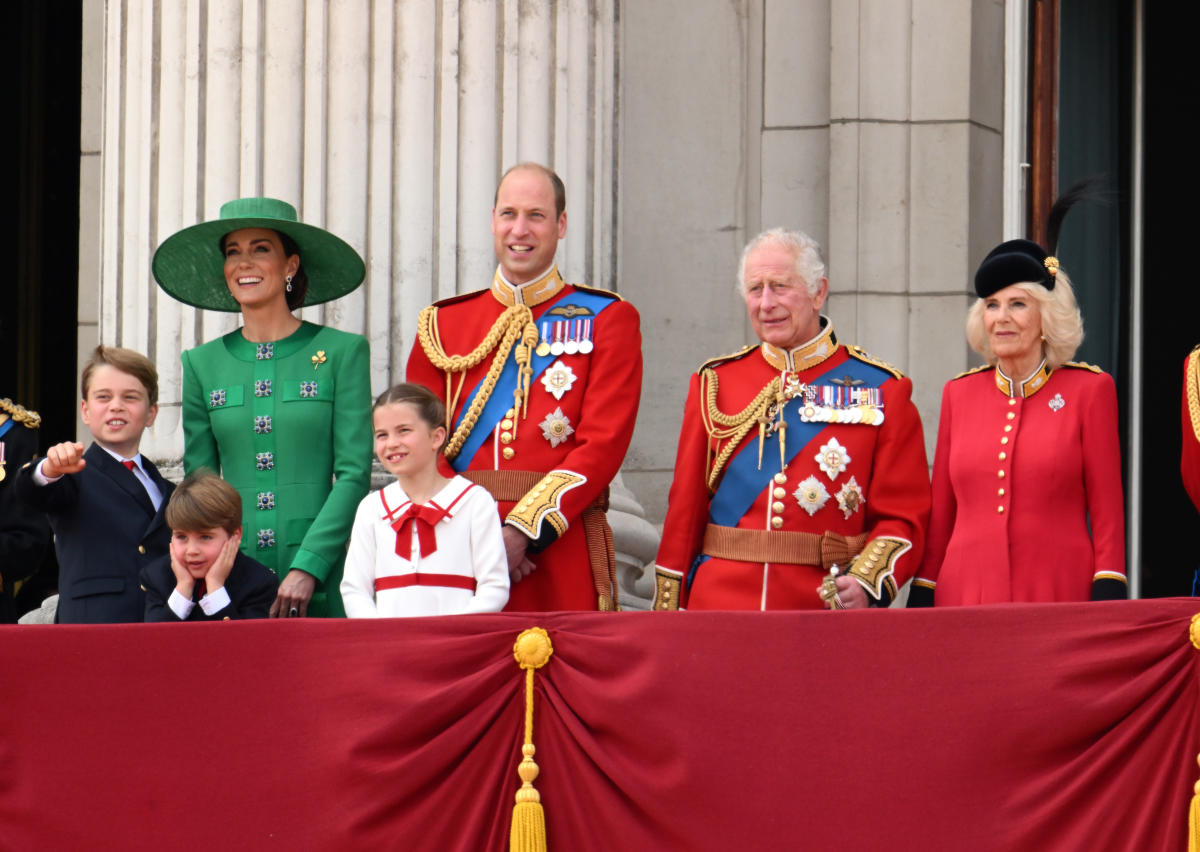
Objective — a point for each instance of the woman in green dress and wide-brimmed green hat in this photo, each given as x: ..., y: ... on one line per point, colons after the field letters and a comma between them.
x: 281, y: 407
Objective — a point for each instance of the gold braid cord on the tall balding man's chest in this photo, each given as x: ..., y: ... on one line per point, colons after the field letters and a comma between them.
x: 515, y: 325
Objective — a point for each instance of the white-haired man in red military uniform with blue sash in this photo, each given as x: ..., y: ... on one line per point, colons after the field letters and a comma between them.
x: 796, y: 455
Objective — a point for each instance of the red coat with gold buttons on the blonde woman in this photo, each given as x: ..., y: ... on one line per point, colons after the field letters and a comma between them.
x: 1021, y: 475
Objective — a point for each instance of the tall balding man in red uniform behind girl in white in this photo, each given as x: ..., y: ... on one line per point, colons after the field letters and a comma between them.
x: 542, y: 382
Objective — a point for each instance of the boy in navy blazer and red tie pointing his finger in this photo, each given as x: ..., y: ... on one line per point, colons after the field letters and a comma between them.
x: 106, y: 506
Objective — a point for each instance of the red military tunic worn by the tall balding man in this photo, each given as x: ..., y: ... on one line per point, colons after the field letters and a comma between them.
x: 578, y: 441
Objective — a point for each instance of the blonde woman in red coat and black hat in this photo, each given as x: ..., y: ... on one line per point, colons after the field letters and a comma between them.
x: 1028, y: 499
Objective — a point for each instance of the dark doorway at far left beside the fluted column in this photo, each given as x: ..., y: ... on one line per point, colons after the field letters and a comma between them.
x: 43, y: 50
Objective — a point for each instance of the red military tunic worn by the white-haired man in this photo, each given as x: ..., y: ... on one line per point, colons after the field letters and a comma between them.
x: 886, y: 463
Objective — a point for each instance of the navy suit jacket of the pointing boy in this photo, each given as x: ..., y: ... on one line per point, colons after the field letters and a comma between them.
x: 106, y: 531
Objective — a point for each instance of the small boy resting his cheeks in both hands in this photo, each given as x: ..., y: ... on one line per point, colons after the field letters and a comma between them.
x: 206, y: 578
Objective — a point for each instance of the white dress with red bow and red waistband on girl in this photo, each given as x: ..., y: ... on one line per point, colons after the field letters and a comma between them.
x: 441, y: 559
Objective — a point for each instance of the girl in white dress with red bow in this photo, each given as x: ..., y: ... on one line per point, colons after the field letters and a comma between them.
x: 424, y: 545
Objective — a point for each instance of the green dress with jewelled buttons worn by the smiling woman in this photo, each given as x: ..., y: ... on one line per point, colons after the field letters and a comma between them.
x: 289, y: 425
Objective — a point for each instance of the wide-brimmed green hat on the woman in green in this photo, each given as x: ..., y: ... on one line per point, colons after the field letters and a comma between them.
x: 190, y: 265
